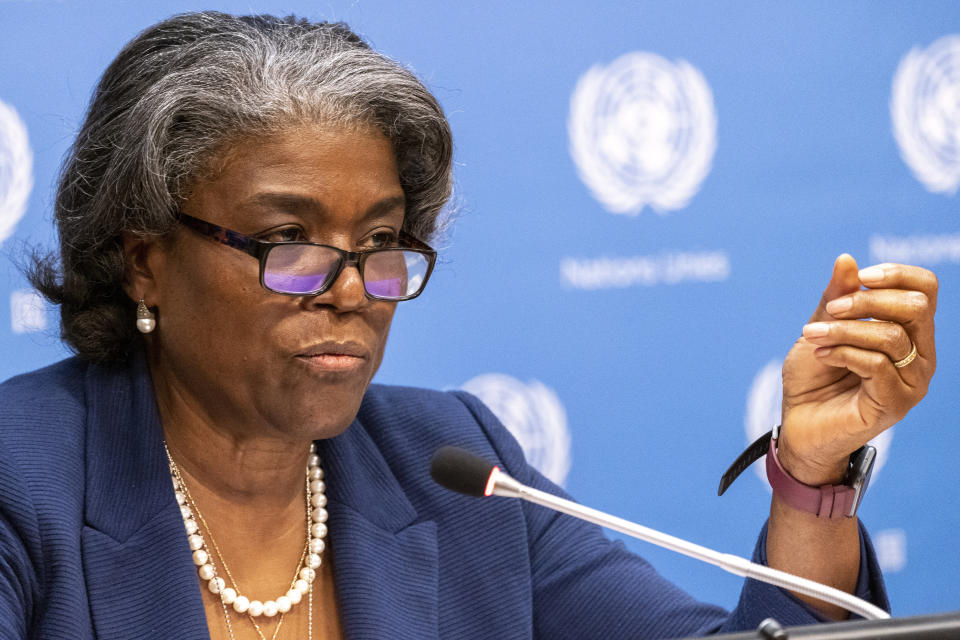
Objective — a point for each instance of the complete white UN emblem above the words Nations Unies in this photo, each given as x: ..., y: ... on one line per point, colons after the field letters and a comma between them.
x: 642, y: 132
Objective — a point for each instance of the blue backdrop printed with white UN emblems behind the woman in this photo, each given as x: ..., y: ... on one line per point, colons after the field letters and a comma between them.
x: 650, y: 197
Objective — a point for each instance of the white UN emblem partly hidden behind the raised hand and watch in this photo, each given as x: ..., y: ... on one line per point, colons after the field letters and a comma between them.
x: 764, y: 403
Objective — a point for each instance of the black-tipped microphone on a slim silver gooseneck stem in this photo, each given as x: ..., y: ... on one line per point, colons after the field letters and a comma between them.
x: 462, y: 471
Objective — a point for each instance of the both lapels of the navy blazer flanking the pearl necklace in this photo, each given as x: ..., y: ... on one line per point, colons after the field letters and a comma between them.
x: 139, y: 571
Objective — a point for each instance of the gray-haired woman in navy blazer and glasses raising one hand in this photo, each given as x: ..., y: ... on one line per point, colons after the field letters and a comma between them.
x: 242, y: 211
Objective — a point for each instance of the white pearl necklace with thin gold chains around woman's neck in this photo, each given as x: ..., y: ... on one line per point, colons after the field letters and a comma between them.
x: 310, y: 559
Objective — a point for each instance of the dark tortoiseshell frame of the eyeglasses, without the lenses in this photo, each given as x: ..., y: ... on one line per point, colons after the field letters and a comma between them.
x: 260, y: 249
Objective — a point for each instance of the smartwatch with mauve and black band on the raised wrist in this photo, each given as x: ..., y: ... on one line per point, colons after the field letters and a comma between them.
x: 827, y: 501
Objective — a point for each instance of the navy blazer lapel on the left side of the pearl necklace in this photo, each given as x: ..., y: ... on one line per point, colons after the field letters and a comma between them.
x: 139, y: 572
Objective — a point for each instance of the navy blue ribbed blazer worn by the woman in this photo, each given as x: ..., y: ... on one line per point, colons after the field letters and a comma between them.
x: 92, y: 544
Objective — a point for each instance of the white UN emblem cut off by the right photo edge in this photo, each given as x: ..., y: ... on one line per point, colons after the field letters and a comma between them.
x: 925, y: 111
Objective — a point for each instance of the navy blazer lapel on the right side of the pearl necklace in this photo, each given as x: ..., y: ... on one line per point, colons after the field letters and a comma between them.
x: 385, y: 562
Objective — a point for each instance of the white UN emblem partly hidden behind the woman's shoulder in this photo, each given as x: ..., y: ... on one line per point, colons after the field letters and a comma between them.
x: 534, y: 415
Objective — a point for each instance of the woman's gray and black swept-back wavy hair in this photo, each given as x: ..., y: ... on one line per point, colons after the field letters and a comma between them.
x: 173, y: 100
